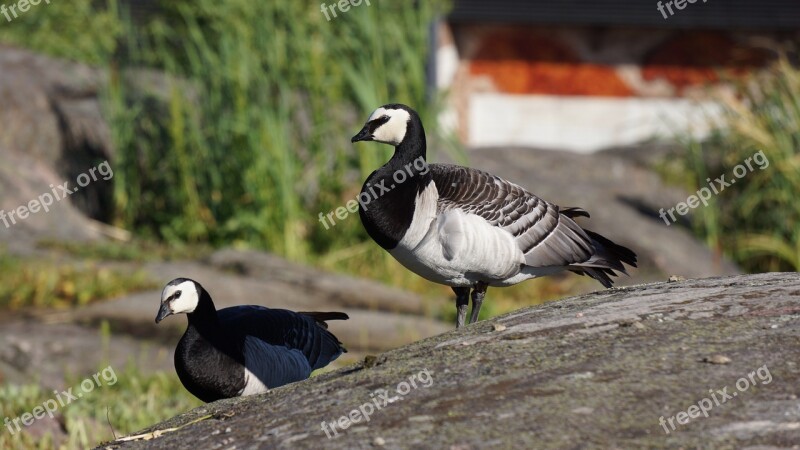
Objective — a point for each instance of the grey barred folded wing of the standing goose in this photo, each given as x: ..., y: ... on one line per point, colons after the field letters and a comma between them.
x: 544, y: 235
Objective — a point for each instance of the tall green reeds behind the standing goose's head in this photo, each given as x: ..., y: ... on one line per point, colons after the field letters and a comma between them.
x: 263, y: 99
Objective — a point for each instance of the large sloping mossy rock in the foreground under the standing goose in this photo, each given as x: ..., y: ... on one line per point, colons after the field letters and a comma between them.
x: 594, y: 371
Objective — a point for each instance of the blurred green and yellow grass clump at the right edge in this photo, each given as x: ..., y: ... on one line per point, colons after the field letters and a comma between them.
x: 755, y: 221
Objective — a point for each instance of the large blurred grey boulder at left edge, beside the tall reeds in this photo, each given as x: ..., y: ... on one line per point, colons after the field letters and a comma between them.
x: 53, y: 131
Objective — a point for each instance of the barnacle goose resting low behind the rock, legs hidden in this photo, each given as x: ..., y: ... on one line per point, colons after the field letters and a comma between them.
x: 244, y: 350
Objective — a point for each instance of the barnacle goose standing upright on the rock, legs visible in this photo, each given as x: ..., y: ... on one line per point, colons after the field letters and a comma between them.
x: 468, y: 229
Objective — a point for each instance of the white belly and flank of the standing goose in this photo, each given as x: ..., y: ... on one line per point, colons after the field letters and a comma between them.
x: 459, y: 249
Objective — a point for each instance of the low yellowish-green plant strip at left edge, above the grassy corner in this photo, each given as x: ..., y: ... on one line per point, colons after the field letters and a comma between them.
x: 28, y: 283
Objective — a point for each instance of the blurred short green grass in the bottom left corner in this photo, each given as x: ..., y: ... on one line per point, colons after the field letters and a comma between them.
x: 136, y: 400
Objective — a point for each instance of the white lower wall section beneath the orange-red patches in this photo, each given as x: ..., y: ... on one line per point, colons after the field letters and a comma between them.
x: 580, y: 124
